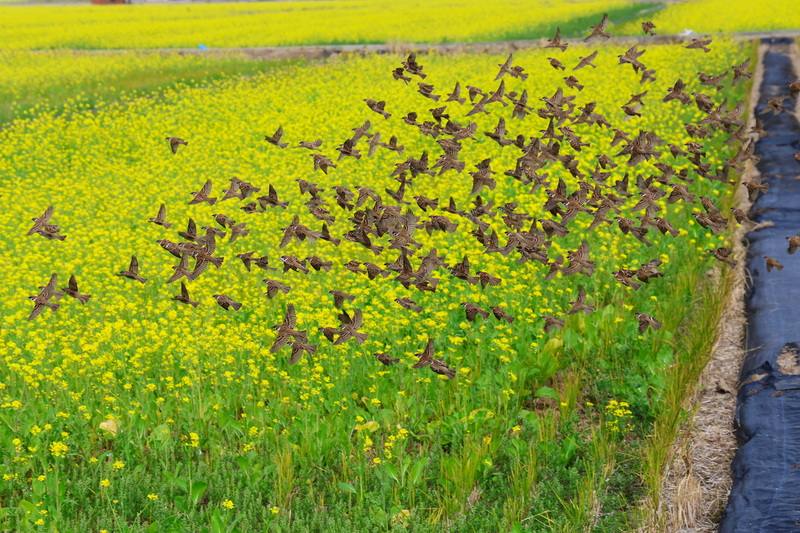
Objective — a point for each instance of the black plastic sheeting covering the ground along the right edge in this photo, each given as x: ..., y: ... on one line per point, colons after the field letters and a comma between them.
x: 765, y: 496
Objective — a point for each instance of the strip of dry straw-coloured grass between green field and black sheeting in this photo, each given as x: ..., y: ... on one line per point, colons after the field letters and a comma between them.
x: 697, y: 478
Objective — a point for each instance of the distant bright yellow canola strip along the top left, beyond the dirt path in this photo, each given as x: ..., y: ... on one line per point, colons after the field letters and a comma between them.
x: 295, y: 22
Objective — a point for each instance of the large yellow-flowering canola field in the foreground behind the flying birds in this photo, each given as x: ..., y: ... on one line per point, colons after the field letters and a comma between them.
x: 133, y: 412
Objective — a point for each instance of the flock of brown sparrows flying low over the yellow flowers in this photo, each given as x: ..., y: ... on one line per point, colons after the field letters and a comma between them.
x: 375, y: 216
